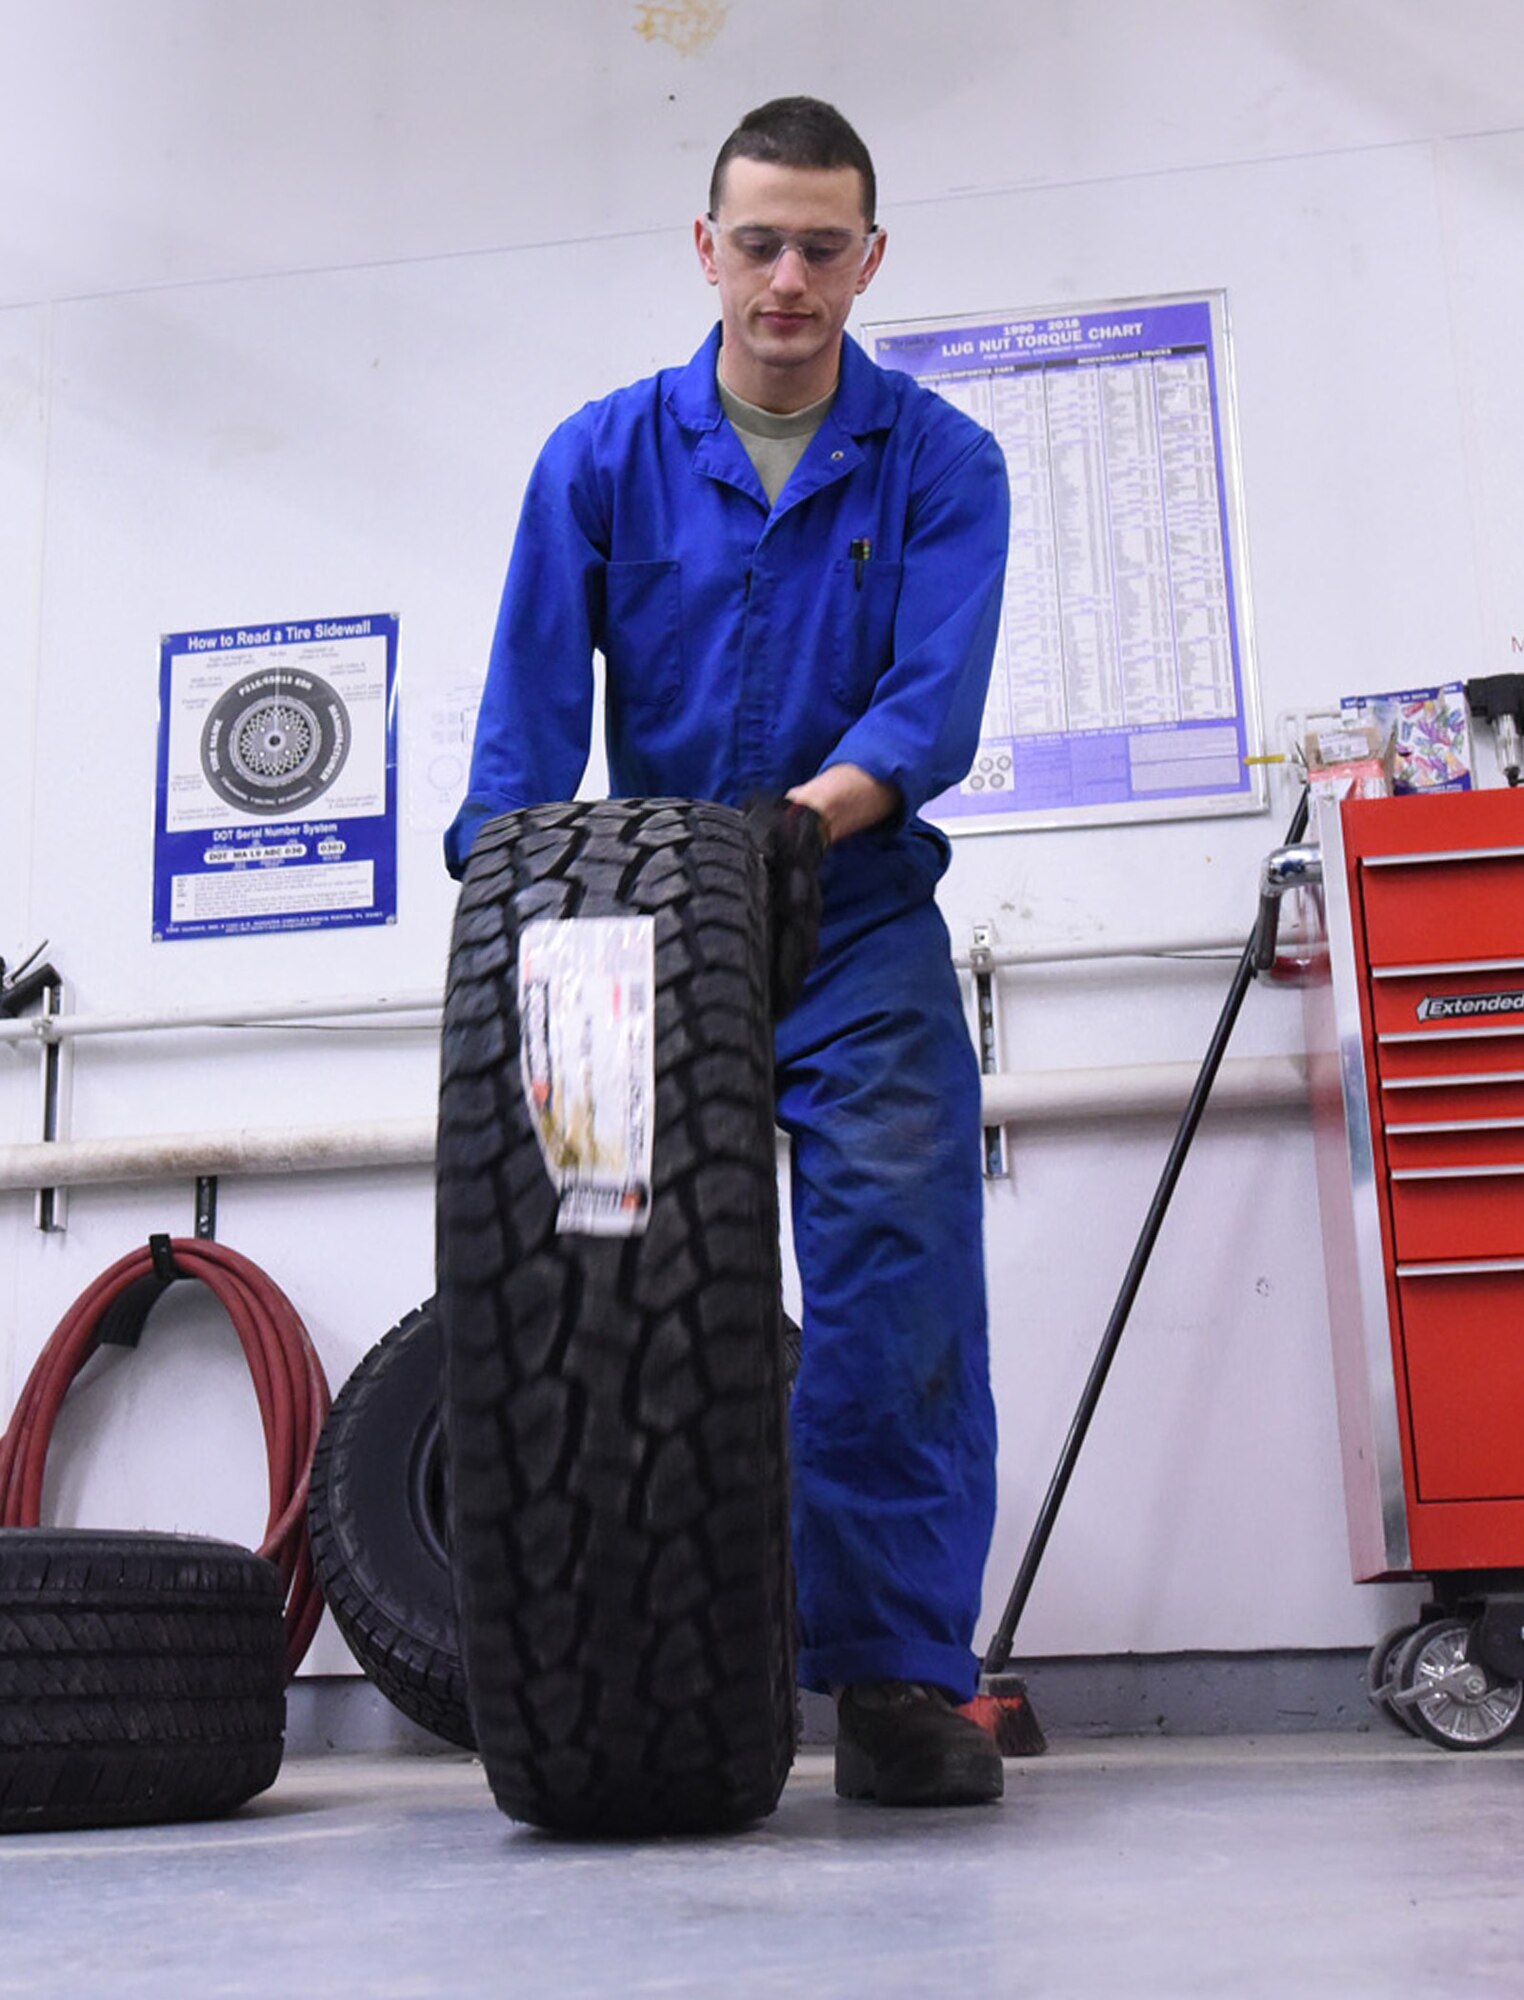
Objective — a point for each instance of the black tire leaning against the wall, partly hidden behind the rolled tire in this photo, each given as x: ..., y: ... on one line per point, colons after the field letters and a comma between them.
x: 381, y: 1535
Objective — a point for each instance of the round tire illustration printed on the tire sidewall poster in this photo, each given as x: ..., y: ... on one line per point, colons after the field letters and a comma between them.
x: 275, y: 741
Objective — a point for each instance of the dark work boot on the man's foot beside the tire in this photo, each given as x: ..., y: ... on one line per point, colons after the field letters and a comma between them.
x: 905, y: 1745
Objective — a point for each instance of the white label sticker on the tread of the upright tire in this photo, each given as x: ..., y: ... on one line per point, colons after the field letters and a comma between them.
x: 589, y: 1065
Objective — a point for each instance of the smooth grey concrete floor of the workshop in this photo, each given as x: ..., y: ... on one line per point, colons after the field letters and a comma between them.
x: 1223, y: 1867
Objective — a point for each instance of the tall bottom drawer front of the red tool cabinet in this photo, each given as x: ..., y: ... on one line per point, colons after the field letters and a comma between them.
x: 1463, y: 1335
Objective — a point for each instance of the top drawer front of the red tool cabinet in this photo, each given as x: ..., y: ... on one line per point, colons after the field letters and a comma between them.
x: 1425, y: 909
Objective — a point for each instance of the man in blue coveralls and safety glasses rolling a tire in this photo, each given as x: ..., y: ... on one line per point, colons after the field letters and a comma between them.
x: 793, y: 565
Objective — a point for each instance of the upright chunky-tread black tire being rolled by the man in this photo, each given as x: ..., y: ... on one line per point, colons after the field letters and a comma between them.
x: 615, y: 1405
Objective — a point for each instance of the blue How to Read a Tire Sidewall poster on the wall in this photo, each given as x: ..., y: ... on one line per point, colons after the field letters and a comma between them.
x: 277, y: 779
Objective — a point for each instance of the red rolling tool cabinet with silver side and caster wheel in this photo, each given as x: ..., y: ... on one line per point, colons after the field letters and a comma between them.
x: 1417, y: 1051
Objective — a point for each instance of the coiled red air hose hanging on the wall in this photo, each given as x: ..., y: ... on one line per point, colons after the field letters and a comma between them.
x: 289, y: 1383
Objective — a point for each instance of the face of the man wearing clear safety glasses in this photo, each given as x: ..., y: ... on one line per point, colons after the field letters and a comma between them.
x: 783, y: 321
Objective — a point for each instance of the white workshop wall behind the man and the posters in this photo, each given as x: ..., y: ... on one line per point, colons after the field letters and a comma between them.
x: 289, y: 297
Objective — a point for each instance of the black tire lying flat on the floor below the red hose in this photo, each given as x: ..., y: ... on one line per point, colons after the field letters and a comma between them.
x: 143, y: 1677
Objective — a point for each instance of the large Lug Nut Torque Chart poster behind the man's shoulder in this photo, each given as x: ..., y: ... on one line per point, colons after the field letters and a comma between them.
x: 1123, y: 683
